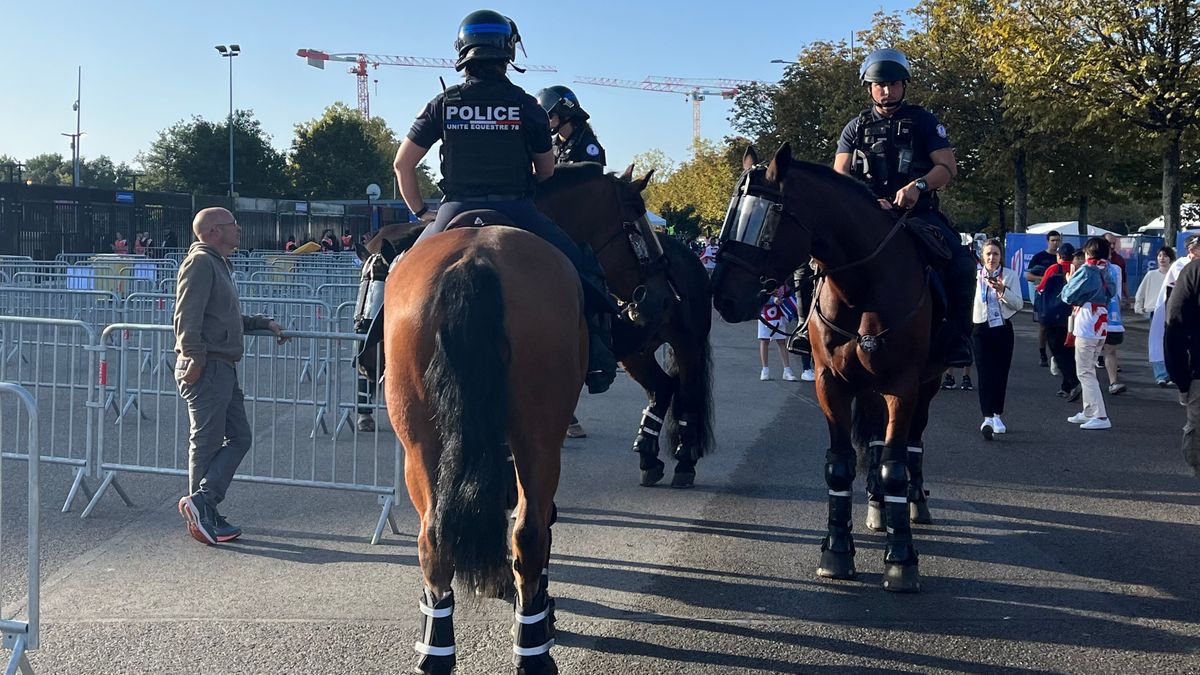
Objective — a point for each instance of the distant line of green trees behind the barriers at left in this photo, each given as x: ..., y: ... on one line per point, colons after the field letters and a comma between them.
x: 334, y: 157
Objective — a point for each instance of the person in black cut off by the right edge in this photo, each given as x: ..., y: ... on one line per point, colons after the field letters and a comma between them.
x: 1183, y: 354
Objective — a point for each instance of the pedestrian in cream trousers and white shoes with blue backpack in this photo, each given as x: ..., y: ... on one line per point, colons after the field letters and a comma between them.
x: 1090, y: 290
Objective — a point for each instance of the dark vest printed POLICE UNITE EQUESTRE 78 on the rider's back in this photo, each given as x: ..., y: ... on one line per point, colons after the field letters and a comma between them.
x: 484, y: 147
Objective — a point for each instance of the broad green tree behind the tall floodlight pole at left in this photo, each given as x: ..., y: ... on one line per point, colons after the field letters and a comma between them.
x: 194, y: 157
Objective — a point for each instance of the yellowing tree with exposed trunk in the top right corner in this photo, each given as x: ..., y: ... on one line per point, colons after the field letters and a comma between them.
x: 1100, y: 61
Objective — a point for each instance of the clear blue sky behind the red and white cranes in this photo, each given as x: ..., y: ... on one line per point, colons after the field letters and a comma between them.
x: 149, y: 64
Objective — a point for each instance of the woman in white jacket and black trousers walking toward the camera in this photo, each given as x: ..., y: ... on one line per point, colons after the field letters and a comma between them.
x: 998, y: 298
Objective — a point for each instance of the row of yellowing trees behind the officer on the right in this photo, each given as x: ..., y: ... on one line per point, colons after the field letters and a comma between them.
x: 1059, y: 110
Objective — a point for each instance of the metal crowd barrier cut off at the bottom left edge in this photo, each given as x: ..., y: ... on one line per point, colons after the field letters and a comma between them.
x: 21, y: 636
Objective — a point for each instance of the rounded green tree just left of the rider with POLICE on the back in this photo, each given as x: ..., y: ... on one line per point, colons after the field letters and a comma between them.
x: 337, y: 156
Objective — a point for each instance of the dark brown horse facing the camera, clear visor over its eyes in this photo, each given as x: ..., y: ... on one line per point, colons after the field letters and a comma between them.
x: 871, y: 326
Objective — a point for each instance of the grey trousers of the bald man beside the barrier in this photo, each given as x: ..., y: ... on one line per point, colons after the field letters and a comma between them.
x: 220, y: 433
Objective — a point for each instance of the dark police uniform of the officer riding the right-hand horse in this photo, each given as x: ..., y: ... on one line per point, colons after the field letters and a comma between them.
x: 892, y: 152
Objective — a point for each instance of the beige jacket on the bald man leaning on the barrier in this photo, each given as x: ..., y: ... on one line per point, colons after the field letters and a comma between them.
x: 208, y: 315
